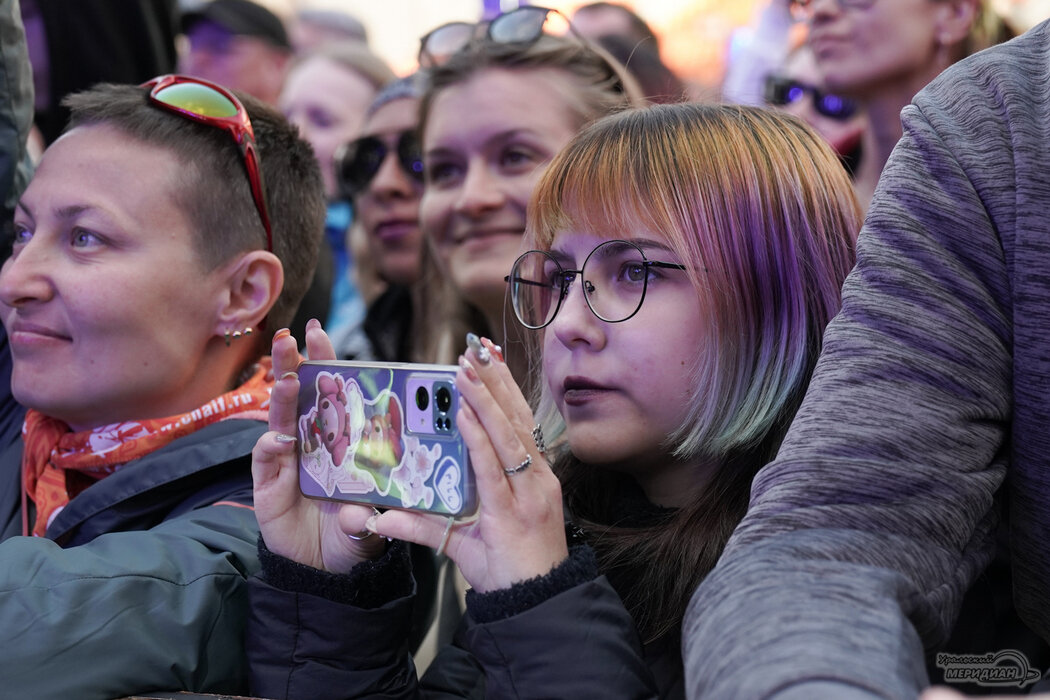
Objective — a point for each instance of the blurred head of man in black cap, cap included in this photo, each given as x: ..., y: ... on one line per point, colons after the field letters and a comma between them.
x: 239, y: 45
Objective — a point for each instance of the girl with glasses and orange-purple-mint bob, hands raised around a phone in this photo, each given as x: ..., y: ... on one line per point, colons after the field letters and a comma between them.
x: 684, y: 262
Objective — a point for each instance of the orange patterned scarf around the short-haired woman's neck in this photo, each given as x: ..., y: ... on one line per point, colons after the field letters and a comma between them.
x: 58, y: 464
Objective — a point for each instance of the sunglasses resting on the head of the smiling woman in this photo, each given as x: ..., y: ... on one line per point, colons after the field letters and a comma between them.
x: 524, y: 26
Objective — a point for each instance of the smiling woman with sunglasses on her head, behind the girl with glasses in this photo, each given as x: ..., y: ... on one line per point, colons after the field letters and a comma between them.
x: 494, y: 115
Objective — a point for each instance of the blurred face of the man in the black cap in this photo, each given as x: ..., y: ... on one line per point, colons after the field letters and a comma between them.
x: 240, y: 63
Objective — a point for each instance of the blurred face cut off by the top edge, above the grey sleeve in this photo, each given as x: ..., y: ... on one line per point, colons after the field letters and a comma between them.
x: 862, y: 50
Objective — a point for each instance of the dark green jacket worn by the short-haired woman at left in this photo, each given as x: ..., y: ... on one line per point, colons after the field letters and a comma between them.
x: 141, y: 582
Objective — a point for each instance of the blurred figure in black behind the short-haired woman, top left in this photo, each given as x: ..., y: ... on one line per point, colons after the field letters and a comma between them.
x: 74, y: 46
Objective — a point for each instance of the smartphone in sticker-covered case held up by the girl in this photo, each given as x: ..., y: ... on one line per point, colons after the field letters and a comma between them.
x: 385, y: 435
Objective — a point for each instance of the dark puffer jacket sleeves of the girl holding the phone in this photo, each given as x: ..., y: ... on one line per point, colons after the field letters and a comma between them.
x: 565, y: 635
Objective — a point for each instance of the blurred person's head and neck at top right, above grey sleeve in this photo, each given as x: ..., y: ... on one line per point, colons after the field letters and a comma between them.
x: 881, y: 54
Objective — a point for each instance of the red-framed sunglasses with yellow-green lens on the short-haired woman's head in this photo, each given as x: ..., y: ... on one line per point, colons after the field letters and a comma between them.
x: 239, y: 126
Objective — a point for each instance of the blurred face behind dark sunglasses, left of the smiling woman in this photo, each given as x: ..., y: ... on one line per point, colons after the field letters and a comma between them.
x: 389, y: 207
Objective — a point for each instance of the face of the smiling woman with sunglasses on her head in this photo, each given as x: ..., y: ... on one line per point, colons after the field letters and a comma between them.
x: 487, y: 143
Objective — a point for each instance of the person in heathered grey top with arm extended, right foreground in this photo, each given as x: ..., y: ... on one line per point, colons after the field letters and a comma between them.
x: 927, y: 419
